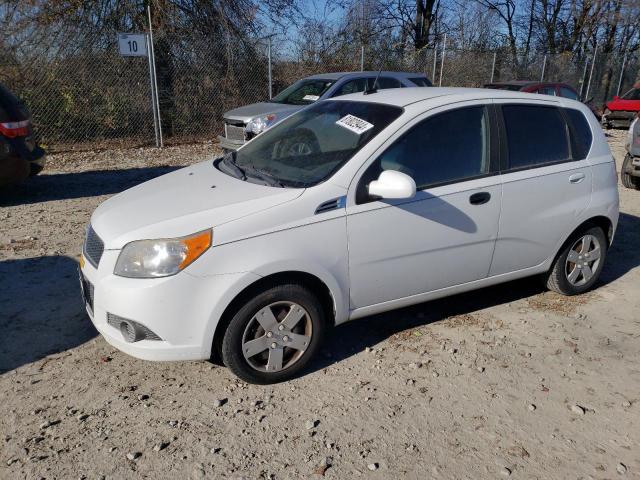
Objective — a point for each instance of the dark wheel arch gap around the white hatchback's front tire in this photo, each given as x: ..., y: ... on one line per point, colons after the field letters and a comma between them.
x: 310, y: 281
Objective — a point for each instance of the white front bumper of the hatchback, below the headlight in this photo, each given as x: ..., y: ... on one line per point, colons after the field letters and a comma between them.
x: 183, y: 310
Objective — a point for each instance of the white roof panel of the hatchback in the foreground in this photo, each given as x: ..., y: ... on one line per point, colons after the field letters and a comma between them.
x: 402, y: 97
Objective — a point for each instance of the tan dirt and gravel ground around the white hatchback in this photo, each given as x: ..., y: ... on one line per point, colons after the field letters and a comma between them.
x: 509, y: 381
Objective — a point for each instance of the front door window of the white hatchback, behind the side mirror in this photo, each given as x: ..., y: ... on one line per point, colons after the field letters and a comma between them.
x: 445, y: 148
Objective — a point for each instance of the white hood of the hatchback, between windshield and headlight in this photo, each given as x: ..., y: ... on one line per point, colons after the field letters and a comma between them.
x: 181, y: 203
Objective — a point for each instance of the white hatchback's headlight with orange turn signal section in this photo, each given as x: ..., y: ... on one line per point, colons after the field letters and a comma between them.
x: 161, y: 258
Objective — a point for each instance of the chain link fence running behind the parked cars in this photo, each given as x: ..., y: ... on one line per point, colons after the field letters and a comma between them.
x: 99, y: 99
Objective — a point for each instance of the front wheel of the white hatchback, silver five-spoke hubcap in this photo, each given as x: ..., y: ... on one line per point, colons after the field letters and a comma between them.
x: 274, y: 335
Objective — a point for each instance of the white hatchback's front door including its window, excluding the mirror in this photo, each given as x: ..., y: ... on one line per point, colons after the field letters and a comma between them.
x: 445, y: 235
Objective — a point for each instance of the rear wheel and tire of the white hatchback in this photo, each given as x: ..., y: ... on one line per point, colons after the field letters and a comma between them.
x: 579, y: 264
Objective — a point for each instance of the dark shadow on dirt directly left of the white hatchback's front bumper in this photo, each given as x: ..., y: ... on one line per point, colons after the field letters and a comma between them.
x: 41, y: 310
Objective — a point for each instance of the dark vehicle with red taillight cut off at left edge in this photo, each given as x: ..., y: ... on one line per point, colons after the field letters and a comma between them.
x: 20, y: 155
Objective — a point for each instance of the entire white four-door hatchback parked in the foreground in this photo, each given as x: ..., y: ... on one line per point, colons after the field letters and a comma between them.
x: 348, y: 208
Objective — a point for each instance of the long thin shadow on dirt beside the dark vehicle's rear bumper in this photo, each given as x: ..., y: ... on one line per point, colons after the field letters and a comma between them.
x: 65, y: 186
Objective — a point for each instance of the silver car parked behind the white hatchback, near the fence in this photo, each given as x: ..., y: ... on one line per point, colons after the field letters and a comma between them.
x: 244, y: 123
